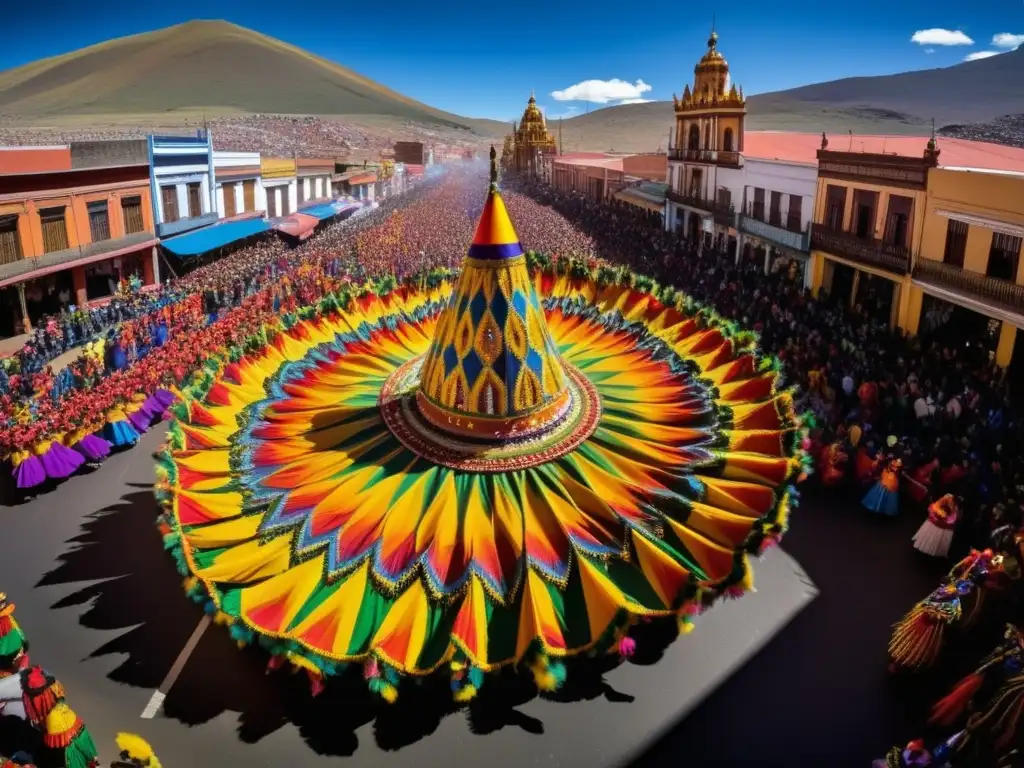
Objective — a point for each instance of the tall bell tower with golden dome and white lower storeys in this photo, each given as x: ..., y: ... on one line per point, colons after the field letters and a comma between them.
x: 705, y: 153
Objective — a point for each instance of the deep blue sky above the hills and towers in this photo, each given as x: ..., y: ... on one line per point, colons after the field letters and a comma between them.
x: 482, y: 60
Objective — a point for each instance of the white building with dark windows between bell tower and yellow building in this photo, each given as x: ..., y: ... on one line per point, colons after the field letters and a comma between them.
x: 777, y: 212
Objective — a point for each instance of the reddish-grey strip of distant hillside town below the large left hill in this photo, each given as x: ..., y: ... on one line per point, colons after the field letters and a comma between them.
x: 269, y: 135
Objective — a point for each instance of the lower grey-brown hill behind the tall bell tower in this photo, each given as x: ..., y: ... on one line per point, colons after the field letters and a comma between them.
x: 976, y: 93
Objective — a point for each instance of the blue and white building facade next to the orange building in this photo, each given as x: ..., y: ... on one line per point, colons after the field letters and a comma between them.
x: 182, y: 183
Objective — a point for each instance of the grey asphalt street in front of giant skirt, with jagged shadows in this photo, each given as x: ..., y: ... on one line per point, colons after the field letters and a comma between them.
x: 121, y: 616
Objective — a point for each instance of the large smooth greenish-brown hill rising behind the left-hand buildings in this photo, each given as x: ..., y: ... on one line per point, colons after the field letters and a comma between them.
x: 214, y: 66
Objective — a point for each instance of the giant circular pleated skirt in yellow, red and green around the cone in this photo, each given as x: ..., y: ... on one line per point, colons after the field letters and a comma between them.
x: 319, y: 528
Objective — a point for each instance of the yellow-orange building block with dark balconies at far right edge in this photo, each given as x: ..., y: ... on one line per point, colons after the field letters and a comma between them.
x: 931, y: 228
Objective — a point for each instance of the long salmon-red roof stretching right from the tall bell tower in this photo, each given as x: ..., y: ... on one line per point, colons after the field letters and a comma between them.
x: 956, y: 153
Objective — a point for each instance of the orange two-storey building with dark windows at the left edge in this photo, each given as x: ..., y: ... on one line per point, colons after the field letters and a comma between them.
x: 69, y: 235
